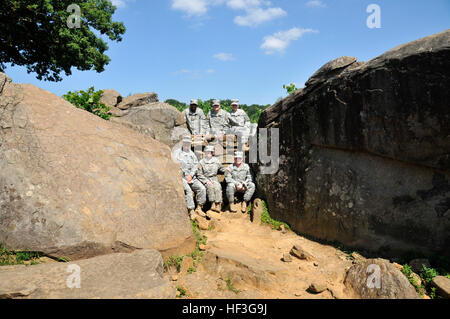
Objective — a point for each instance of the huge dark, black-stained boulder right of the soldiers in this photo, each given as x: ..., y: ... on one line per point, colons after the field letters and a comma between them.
x: 365, y: 154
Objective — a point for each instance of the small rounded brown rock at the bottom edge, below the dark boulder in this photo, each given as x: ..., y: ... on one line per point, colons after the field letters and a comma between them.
x: 378, y: 279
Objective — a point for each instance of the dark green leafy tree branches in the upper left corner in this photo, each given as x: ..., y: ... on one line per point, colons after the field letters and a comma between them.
x: 36, y: 34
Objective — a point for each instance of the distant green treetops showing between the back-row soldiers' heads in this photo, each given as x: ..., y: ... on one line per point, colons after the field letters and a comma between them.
x: 253, y: 111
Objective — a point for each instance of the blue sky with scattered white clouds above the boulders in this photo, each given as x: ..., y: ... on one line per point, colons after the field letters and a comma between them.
x: 244, y: 49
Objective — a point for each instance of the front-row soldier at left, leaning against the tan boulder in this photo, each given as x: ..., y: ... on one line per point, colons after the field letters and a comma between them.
x: 189, y: 166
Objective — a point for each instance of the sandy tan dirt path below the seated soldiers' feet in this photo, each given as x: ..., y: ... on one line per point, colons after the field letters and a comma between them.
x: 249, y: 256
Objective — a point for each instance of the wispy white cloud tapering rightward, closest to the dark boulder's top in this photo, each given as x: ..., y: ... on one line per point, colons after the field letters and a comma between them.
x: 278, y: 42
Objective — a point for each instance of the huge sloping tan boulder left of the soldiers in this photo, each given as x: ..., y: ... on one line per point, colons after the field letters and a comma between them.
x: 75, y: 185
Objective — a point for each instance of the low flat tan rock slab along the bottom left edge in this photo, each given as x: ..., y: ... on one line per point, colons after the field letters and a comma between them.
x: 126, y: 276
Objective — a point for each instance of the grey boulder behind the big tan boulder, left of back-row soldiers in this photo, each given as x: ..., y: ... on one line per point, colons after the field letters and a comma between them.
x: 161, y: 120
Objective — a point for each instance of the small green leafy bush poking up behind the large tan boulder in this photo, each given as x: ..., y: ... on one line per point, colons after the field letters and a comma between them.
x: 90, y: 101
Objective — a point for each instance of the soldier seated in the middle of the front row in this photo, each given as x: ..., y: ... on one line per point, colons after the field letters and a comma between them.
x: 207, y: 172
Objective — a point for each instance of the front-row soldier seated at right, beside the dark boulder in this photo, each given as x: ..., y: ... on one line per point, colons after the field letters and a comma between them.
x: 239, y: 178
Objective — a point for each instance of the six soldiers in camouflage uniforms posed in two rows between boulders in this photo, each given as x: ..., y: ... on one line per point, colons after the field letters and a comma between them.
x: 201, y: 177
